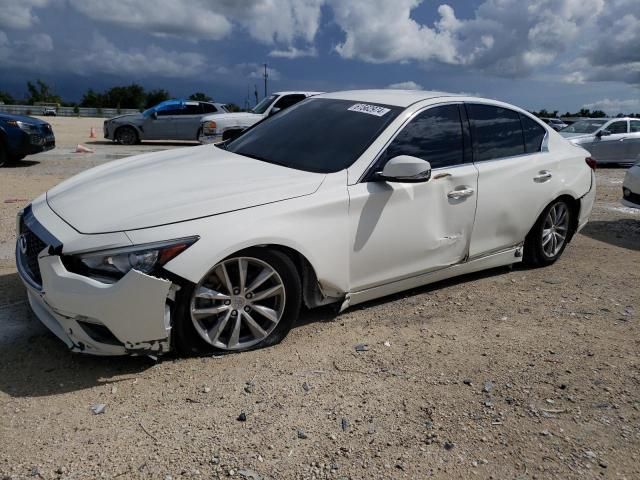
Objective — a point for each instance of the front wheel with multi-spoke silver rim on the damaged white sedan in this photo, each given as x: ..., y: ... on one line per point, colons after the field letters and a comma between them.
x: 247, y: 301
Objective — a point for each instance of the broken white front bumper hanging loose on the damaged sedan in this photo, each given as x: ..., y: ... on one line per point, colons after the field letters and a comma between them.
x: 130, y: 316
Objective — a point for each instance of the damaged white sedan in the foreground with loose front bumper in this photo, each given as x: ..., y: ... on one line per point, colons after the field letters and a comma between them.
x: 342, y: 198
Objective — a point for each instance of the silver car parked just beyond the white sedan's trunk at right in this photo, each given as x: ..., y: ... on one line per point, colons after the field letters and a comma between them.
x: 609, y: 140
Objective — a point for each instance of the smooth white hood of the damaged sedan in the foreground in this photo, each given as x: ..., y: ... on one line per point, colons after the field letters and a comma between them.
x: 173, y: 186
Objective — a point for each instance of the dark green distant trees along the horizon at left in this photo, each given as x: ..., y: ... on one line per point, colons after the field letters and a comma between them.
x: 132, y: 96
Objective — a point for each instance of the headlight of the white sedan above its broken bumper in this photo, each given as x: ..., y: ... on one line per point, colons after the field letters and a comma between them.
x: 144, y: 258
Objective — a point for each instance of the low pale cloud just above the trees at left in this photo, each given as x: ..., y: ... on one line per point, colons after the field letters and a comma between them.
x: 105, y: 57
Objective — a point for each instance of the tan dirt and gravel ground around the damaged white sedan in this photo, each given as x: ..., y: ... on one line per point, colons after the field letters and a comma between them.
x: 507, y: 374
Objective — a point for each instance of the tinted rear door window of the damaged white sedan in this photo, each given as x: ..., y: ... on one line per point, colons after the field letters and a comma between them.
x: 497, y: 132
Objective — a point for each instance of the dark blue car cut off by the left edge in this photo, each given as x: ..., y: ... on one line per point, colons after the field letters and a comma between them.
x: 21, y: 136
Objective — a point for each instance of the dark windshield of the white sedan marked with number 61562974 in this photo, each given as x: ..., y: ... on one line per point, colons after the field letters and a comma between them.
x: 316, y: 135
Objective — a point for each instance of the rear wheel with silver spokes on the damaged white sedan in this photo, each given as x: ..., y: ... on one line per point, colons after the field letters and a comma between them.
x: 549, y: 236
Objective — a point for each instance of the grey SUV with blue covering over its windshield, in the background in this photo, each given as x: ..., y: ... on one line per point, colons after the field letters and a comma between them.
x: 169, y: 120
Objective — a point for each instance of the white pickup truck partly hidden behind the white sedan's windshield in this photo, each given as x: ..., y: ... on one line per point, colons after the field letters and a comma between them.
x: 220, y: 128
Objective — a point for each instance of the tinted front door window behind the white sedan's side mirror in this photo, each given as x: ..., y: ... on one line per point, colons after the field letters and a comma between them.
x: 434, y: 135
